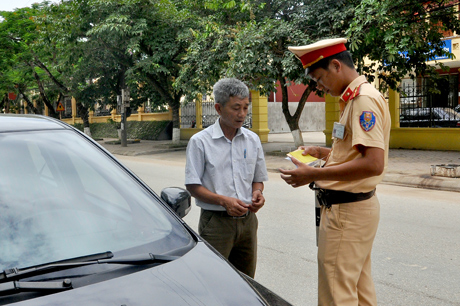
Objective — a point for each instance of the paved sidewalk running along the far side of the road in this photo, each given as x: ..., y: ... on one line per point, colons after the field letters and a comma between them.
x: 405, y: 167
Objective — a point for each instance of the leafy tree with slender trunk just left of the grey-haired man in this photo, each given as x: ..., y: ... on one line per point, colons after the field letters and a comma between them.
x: 140, y: 39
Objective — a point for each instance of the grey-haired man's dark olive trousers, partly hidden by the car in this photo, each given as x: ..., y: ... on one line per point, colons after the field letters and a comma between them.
x: 234, y: 238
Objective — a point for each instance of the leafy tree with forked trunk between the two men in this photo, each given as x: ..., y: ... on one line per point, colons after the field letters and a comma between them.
x: 249, y: 41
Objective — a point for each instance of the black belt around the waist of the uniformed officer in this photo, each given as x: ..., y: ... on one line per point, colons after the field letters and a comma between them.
x: 328, y: 197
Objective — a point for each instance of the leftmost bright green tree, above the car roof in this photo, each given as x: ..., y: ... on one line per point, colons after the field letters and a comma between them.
x: 33, y: 37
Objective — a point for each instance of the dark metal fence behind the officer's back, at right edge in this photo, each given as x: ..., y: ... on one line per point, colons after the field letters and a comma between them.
x: 420, y: 108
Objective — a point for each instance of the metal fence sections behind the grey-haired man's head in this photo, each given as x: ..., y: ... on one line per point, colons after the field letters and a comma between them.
x: 209, y: 115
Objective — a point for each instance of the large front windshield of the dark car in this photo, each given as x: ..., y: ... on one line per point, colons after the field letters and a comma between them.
x: 61, y: 197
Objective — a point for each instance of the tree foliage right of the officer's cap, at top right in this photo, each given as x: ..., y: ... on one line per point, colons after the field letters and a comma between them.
x: 400, y: 37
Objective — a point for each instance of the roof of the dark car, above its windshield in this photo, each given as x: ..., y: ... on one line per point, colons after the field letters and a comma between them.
x: 16, y: 123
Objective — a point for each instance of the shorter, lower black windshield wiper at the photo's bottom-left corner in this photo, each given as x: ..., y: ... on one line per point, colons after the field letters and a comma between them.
x: 18, y: 286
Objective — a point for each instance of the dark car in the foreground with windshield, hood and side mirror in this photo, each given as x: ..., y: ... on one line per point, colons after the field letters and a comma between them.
x: 79, y: 228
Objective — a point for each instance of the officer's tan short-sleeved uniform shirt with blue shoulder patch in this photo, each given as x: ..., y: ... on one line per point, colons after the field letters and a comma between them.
x: 366, y: 118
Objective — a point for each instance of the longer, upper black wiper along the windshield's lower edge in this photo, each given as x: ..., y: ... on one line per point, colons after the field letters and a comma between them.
x: 141, y: 259
